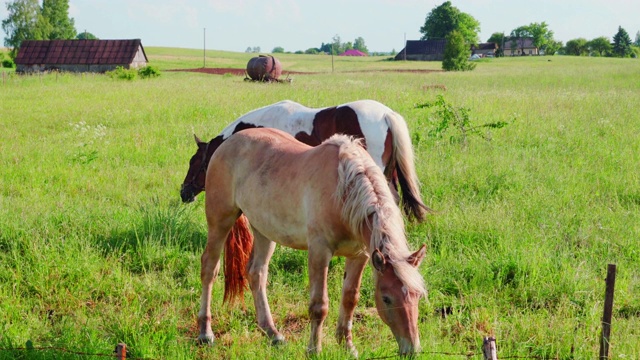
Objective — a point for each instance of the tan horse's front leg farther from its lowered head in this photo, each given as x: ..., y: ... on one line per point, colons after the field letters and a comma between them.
x: 319, y: 304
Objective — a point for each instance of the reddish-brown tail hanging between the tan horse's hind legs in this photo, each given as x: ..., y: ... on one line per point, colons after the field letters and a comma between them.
x: 237, y: 250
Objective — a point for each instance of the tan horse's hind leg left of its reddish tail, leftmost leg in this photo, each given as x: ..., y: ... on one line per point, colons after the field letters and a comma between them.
x: 210, y: 267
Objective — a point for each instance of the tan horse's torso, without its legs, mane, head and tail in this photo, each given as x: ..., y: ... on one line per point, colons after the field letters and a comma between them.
x: 285, y: 188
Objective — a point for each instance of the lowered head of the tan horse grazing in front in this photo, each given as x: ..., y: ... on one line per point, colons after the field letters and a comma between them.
x: 397, y: 303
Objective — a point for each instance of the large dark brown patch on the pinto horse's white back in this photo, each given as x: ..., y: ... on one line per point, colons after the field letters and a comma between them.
x: 331, y: 121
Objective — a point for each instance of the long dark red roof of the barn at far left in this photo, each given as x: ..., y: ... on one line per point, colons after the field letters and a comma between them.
x: 68, y: 52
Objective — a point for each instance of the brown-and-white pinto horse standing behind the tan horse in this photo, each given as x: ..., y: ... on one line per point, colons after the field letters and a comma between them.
x: 384, y: 131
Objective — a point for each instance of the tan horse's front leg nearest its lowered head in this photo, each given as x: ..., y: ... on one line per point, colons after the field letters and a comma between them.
x: 354, y: 267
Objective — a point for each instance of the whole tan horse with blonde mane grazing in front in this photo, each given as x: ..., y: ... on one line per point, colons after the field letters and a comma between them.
x: 331, y: 200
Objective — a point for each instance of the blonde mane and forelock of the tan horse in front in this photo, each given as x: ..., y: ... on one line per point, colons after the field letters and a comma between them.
x: 367, y: 202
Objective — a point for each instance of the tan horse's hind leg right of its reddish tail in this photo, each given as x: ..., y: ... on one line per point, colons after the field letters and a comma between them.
x: 258, y: 270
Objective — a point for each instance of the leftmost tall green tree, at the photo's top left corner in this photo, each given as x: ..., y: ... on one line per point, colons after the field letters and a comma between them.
x: 22, y: 23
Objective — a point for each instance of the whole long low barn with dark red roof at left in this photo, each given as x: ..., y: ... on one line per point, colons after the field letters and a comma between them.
x: 79, y: 55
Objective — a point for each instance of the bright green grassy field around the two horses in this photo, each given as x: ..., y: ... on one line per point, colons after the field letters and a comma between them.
x: 96, y: 247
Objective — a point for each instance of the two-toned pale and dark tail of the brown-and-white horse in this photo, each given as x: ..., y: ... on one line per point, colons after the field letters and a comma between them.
x: 404, y: 171
